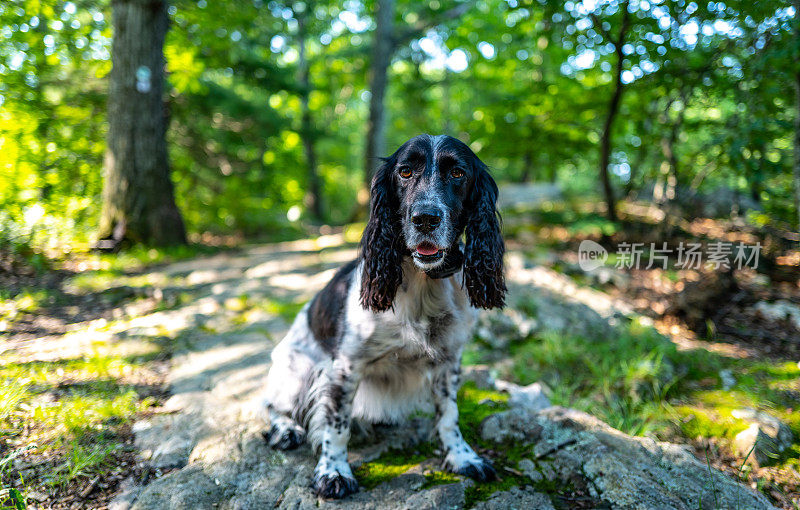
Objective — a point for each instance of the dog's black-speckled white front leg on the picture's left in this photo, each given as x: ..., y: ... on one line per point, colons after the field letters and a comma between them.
x: 332, y: 415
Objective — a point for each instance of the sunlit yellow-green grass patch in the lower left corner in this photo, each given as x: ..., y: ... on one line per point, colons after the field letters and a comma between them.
x: 72, y: 410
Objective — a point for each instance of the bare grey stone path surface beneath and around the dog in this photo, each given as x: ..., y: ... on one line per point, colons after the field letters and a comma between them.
x: 204, y: 447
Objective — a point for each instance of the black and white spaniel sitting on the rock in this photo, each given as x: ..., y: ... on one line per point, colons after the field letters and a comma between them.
x: 385, y: 336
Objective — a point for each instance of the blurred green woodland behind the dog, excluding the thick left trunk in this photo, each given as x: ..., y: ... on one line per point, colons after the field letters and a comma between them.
x: 278, y: 111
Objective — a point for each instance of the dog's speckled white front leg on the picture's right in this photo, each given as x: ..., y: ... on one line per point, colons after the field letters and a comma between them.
x: 459, y: 458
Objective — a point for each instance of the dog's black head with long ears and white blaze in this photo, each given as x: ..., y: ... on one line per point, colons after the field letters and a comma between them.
x: 423, y: 197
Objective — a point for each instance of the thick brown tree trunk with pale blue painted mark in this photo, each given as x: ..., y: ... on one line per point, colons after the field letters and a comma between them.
x: 138, y: 201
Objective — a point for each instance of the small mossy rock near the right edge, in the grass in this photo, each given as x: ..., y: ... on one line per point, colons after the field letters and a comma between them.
x: 766, y: 436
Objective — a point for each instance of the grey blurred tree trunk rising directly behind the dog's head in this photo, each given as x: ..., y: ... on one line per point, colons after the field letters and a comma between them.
x: 382, y: 50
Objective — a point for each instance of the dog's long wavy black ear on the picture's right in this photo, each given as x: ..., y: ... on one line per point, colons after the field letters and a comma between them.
x: 483, y: 253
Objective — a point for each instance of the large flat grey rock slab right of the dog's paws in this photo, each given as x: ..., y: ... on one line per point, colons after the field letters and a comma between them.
x: 627, y: 472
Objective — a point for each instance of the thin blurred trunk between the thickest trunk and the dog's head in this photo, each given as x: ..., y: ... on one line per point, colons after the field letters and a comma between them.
x: 314, y: 192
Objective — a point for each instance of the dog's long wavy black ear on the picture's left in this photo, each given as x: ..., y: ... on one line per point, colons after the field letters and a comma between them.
x: 382, y: 242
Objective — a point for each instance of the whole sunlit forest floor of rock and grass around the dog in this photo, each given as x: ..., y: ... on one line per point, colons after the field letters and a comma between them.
x: 175, y: 357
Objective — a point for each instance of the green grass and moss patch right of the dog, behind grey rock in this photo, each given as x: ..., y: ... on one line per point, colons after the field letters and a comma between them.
x: 640, y: 383
